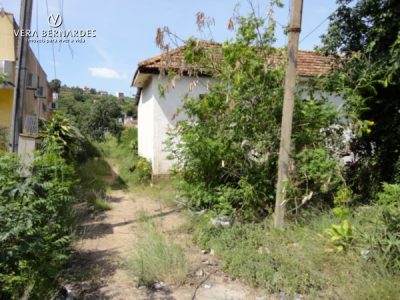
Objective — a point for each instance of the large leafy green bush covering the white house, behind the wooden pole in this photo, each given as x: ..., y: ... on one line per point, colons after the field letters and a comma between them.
x: 228, y: 147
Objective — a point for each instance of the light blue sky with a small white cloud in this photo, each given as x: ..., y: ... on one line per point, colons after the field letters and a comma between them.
x: 126, y: 30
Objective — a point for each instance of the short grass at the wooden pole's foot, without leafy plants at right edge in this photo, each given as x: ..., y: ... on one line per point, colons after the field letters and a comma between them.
x: 296, y: 260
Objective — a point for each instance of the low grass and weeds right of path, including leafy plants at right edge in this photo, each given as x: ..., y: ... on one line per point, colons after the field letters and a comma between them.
x: 304, y: 260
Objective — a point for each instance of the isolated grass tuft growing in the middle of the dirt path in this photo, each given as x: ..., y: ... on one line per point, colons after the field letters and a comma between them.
x: 156, y: 259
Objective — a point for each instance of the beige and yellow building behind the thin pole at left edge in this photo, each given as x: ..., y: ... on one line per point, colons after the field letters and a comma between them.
x: 38, y: 95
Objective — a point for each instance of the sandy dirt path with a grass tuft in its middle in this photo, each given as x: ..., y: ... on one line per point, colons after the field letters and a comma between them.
x: 97, y: 271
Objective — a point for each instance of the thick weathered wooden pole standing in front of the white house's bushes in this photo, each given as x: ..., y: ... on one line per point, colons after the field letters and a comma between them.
x: 296, y: 8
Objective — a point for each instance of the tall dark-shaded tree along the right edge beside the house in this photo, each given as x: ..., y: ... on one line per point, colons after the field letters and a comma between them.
x: 368, y: 35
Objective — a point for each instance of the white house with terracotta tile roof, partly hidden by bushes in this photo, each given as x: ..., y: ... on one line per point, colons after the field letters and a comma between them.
x: 156, y: 114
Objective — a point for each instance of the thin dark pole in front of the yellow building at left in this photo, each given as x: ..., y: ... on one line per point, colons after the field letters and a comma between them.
x: 20, y: 74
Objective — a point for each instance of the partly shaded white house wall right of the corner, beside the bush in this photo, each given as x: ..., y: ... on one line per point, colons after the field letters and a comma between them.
x: 165, y: 117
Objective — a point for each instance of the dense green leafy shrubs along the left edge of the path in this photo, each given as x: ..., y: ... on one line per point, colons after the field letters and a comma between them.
x: 36, y: 216
